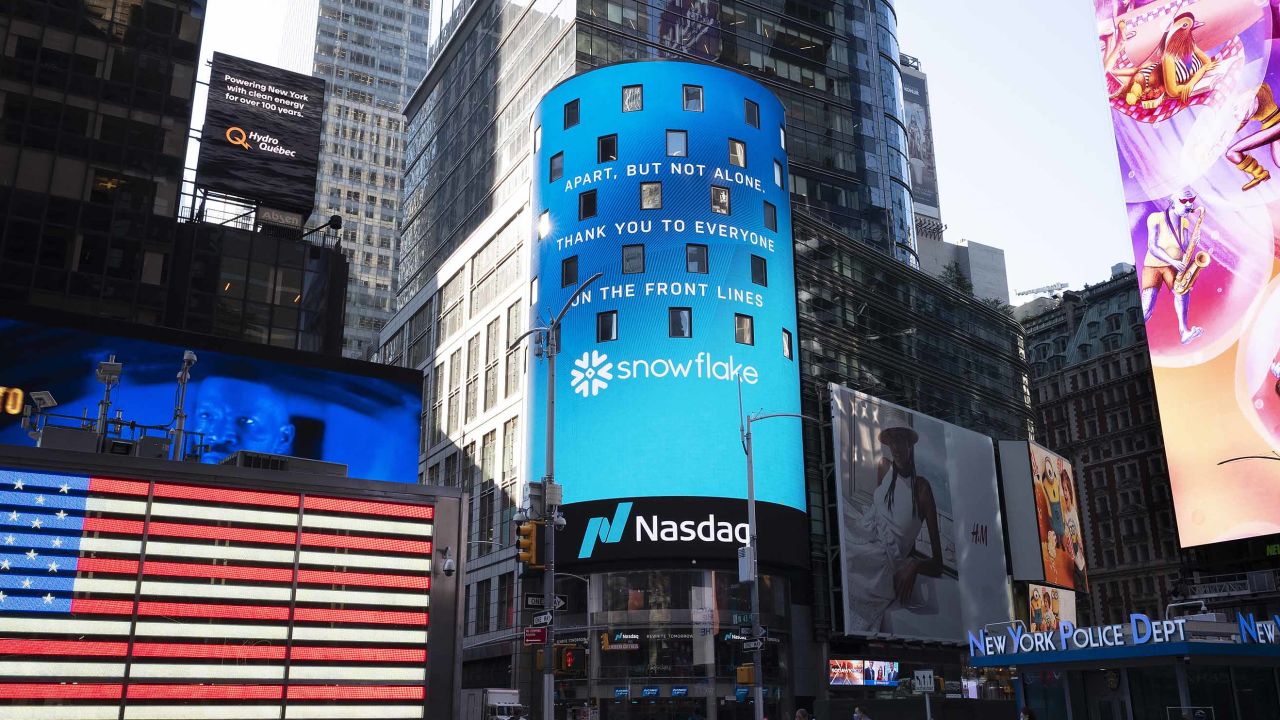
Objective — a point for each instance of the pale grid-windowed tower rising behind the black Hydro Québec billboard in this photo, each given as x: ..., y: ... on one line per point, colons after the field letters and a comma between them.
x: 372, y: 54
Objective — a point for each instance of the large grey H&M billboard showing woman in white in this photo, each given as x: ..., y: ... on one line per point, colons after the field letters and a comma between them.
x: 921, y: 541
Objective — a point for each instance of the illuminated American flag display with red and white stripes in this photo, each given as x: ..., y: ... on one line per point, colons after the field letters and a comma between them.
x: 153, y: 600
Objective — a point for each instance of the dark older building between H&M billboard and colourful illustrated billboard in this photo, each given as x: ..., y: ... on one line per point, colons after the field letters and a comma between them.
x: 1095, y: 404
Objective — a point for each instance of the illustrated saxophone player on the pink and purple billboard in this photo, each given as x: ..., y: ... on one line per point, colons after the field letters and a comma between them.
x: 1173, y: 261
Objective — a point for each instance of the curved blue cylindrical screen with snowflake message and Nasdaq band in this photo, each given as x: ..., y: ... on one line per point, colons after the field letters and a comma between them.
x: 669, y: 179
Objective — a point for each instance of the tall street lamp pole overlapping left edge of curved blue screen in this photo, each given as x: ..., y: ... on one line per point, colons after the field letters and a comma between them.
x: 550, y: 338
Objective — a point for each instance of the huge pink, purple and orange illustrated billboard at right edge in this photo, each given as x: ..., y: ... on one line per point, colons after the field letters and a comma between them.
x: 1192, y: 94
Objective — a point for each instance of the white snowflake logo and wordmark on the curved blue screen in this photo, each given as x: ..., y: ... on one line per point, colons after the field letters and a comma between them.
x: 593, y: 372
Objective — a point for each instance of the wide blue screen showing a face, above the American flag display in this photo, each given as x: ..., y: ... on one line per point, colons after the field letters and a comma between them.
x: 258, y: 399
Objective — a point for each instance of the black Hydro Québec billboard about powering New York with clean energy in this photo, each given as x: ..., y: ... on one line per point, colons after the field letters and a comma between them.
x: 262, y: 136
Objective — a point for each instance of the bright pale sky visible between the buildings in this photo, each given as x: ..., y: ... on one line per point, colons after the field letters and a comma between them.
x: 1021, y: 125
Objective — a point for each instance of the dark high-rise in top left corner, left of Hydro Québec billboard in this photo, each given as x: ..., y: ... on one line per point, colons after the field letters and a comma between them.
x: 95, y: 103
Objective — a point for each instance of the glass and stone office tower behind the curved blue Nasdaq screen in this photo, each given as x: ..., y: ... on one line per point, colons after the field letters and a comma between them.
x: 866, y: 317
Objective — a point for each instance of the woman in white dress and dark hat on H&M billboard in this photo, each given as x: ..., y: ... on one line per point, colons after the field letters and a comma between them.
x: 880, y: 564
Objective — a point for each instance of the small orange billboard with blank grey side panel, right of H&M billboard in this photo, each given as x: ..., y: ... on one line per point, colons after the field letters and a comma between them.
x: 1041, y: 498
